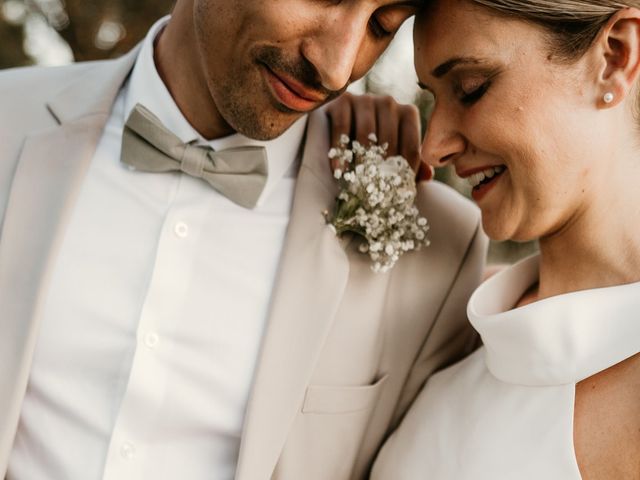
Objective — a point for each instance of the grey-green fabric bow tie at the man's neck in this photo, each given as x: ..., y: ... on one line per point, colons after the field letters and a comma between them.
x: 240, y: 173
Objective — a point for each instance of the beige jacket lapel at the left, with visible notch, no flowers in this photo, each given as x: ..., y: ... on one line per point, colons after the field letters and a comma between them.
x: 48, y: 176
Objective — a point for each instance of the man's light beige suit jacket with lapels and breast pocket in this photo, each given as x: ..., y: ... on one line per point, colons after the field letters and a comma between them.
x: 345, y: 351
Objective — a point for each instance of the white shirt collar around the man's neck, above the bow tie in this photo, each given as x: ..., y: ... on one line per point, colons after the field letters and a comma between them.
x: 147, y: 88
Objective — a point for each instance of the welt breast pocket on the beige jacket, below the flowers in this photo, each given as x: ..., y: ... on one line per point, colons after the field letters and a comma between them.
x: 325, y: 399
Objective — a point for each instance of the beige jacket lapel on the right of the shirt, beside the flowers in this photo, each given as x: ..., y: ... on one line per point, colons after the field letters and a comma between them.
x: 313, y: 276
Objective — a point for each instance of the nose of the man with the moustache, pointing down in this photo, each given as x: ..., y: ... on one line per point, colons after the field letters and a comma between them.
x: 334, y: 48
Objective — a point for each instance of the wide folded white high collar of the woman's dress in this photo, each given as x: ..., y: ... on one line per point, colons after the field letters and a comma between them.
x: 558, y: 340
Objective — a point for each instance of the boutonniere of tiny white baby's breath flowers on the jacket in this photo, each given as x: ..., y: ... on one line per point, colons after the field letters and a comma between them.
x: 377, y: 202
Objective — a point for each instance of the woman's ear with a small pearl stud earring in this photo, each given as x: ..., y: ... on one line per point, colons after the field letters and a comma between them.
x: 619, y: 49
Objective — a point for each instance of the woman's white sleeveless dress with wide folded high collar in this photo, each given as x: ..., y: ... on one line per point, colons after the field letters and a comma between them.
x: 506, y: 412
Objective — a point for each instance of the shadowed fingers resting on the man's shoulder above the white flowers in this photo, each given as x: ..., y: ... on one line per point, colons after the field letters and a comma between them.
x: 398, y: 125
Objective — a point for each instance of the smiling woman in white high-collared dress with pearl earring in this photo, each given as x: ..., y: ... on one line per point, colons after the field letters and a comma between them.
x: 537, y: 107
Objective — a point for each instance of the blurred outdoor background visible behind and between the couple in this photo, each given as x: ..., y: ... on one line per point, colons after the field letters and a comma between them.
x: 57, y: 32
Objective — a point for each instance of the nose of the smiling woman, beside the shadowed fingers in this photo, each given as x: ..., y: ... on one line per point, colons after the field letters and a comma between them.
x: 442, y: 141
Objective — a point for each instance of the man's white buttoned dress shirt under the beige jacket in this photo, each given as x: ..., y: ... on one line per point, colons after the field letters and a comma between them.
x: 152, y: 327
